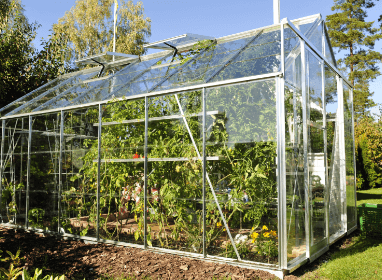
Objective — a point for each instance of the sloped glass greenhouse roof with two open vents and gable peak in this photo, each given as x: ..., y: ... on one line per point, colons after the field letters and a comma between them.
x: 252, y: 53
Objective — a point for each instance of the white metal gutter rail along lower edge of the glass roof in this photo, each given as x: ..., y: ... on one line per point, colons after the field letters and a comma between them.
x: 152, y: 94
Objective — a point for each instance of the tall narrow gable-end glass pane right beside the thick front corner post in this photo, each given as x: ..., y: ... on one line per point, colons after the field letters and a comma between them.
x: 294, y: 154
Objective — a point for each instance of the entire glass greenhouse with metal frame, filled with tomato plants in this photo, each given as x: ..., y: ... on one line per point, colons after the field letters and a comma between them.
x: 237, y: 150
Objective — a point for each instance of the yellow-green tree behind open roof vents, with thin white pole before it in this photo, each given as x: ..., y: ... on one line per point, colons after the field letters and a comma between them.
x: 89, y: 27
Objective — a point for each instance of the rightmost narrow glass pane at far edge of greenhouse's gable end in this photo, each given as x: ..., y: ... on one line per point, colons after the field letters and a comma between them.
x: 349, y: 157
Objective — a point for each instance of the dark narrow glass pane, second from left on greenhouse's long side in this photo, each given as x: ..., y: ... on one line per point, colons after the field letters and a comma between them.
x: 44, y: 172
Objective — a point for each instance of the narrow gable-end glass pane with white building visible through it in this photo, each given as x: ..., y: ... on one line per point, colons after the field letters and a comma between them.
x: 316, y: 160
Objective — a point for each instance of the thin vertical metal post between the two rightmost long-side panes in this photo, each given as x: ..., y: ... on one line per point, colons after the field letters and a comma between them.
x: 204, y: 166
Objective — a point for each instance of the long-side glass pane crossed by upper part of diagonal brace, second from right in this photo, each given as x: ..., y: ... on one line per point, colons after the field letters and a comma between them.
x: 175, y: 172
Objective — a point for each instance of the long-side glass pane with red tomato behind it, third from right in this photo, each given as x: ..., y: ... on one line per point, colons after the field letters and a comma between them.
x: 122, y: 172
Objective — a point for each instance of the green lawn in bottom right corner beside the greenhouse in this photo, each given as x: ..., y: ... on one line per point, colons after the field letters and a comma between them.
x: 360, y: 259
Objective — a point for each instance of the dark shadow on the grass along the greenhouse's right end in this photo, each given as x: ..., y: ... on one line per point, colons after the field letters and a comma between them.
x: 349, y: 245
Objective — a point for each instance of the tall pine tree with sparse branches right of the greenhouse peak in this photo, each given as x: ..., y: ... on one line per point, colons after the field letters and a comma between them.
x: 349, y: 31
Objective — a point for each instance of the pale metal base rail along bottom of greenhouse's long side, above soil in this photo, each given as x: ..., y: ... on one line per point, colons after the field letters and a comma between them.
x: 271, y: 268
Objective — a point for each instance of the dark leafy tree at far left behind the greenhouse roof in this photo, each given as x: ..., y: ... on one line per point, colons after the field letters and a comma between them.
x: 23, y: 68
